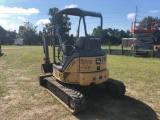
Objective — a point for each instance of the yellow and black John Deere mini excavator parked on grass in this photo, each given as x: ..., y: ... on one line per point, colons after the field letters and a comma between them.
x: 77, y: 64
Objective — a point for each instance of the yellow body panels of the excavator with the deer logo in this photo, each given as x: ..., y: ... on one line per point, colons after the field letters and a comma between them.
x: 84, y: 71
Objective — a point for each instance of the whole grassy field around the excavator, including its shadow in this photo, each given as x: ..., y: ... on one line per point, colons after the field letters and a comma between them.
x: 21, y: 97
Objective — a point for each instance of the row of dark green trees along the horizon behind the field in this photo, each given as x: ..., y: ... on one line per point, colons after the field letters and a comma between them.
x: 31, y: 36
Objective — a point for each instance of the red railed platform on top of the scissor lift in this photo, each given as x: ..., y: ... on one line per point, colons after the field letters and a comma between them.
x: 136, y: 28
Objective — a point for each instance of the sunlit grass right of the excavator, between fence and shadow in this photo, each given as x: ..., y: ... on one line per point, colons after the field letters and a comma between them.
x: 141, y: 77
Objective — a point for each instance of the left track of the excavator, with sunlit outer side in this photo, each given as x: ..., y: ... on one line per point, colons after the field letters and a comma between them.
x: 71, y: 98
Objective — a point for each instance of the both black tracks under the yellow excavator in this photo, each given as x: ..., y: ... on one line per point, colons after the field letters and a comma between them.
x: 72, y: 97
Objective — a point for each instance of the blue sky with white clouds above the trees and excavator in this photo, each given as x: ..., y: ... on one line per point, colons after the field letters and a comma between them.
x: 117, y: 14
